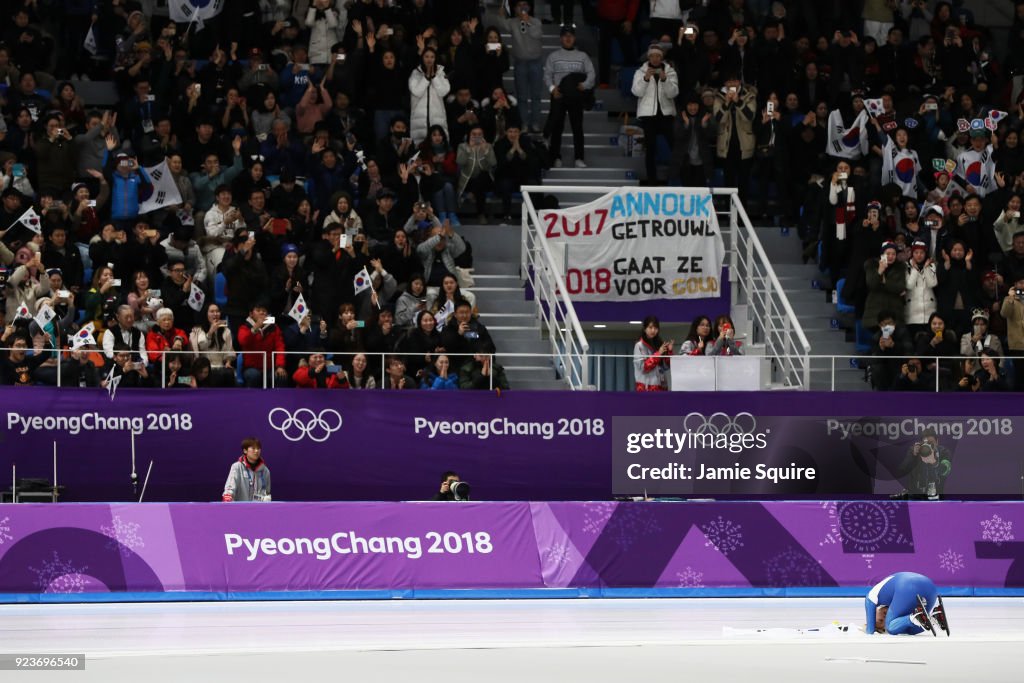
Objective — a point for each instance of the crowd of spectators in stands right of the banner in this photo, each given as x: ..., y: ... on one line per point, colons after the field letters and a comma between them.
x: 888, y: 131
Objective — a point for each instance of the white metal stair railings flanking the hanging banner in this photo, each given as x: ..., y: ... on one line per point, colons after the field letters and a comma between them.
x: 774, y: 323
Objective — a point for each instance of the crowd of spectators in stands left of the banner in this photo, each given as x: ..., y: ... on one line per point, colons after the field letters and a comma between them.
x: 279, y: 177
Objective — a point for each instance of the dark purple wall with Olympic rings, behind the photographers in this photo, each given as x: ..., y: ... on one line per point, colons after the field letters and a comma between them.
x: 374, y: 446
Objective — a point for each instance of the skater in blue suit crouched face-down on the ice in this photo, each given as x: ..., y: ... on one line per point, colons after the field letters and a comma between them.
x: 906, y: 604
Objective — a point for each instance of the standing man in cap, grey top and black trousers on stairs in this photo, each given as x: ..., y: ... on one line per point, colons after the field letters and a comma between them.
x: 570, y: 76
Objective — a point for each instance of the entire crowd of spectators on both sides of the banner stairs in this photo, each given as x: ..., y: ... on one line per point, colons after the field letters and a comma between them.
x: 330, y: 149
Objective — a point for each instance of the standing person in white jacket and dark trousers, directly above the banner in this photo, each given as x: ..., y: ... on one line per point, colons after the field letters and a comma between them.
x: 657, y: 86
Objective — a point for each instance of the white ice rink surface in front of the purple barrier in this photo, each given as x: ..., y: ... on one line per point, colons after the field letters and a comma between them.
x: 511, y: 641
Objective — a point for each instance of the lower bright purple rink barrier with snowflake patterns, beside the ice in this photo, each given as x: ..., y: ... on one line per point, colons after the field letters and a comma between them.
x: 216, y: 549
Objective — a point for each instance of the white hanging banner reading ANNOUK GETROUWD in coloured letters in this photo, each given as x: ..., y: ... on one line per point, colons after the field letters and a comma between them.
x: 635, y: 245
